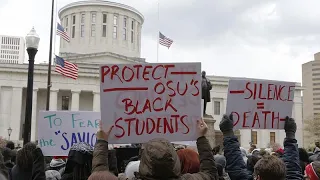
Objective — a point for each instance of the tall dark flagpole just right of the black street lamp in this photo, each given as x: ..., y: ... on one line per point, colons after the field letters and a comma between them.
x: 50, y: 59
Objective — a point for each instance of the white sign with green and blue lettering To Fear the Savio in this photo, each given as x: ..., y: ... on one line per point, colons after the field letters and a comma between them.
x: 59, y: 130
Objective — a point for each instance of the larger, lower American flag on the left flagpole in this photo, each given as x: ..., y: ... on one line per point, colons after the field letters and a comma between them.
x: 66, y: 68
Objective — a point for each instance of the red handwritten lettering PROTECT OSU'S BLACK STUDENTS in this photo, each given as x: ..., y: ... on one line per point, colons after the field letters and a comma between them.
x: 137, y: 100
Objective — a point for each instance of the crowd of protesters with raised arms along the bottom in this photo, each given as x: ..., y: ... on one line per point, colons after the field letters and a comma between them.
x: 159, y: 159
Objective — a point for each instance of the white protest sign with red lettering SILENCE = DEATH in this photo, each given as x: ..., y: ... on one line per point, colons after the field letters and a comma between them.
x: 259, y: 104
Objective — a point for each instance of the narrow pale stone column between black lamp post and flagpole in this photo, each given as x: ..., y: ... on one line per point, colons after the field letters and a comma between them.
x: 34, y: 116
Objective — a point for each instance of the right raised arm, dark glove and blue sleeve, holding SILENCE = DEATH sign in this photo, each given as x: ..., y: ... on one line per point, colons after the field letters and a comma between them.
x: 291, y: 153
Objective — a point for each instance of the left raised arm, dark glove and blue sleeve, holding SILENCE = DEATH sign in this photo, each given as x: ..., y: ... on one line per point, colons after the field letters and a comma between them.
x: 235, y: 167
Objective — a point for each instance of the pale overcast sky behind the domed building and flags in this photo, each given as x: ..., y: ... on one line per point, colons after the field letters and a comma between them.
x: 266, y: 39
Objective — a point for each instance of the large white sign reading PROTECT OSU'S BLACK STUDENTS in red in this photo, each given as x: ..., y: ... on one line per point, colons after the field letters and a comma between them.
x: 147, y: 101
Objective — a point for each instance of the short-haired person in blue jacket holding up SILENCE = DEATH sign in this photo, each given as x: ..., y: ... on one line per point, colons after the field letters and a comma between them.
x: 268, y: 167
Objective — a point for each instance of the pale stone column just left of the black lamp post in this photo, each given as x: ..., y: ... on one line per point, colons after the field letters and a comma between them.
x: 16, y: 113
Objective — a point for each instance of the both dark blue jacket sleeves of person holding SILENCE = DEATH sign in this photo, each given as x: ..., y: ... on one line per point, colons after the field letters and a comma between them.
x: 237, y: 169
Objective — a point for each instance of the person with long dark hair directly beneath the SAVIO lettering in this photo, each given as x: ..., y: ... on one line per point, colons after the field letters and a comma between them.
x: 79, y: 162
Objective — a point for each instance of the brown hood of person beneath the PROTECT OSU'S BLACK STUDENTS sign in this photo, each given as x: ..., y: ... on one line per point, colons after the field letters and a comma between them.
x: 159, y: 160
